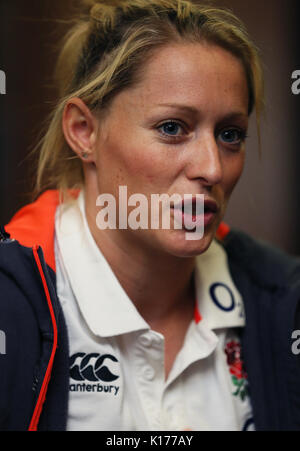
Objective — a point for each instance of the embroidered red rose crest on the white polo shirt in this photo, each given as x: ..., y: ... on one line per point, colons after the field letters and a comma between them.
x: 238, y: 375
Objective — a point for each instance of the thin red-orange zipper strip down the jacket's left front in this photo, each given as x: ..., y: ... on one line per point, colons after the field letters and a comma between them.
x: 42, y: 395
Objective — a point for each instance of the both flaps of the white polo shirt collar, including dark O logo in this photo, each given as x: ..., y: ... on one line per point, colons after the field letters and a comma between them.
x: 103, y: 302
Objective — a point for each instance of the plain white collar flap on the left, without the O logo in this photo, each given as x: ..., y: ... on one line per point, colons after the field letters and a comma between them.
x: 103, y: 302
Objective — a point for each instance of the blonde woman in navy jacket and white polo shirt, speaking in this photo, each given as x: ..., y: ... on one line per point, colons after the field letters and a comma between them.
x: 138, y: 327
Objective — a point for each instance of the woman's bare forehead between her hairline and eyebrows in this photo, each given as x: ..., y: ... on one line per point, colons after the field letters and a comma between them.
x: 193, y: 75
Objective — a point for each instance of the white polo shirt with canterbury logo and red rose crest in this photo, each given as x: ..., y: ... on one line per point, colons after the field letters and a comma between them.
x: 117, y: 378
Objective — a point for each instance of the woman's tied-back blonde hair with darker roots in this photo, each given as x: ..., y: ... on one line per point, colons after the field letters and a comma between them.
x: 104, y: 52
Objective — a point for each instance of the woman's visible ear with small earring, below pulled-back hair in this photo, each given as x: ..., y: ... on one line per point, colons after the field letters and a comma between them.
x: 80, y: 128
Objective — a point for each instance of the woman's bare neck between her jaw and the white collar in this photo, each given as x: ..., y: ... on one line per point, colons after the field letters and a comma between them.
x: 160, y: 286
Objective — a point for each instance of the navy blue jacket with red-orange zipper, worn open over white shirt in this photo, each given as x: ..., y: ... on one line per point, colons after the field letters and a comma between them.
x: 34, y: 371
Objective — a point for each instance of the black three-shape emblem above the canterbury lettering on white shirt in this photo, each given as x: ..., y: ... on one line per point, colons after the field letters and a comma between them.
x: 91, y: 367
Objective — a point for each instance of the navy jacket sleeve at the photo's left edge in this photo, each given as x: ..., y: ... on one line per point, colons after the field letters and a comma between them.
x: 19, y: 351
